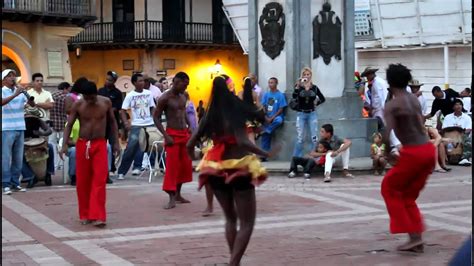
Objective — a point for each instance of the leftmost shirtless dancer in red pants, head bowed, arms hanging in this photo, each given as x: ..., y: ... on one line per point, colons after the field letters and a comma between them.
x: 93, y: 113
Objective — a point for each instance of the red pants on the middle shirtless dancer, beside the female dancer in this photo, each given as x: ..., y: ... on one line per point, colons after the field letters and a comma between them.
x: 179, y: 168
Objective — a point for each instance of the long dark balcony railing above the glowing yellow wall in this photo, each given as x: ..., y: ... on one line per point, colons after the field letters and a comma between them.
x: 154, y: 32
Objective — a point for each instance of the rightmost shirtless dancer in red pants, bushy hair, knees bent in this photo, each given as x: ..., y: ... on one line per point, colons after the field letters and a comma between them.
x: 403, y: 183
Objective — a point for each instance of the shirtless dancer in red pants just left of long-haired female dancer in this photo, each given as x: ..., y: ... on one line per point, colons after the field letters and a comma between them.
x: 179, y: 167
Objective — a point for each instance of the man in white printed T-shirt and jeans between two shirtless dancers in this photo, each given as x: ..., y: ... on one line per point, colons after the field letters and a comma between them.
x: 141, y: 104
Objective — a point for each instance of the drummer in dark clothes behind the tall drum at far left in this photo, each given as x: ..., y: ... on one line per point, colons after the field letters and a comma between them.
x: 36, y: 128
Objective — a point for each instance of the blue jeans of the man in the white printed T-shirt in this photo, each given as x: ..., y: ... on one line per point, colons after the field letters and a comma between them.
x: 132, y: 152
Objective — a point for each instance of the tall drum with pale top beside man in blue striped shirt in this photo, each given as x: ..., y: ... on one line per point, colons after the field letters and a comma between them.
x: 36, y: 155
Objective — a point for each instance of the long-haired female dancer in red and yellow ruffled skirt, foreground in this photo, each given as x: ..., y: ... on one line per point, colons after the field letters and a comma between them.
x: 230, y: 166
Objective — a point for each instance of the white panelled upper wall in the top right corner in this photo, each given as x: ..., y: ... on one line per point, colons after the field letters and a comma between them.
x: 416, y: 22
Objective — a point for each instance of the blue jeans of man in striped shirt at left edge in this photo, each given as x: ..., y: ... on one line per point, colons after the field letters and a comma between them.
x: 12, y: 157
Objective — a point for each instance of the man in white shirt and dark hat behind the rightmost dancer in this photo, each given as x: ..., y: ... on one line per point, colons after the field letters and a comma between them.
x: 378, y: 90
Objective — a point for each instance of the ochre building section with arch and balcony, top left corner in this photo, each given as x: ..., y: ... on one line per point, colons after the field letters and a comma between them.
x: 35, y: 36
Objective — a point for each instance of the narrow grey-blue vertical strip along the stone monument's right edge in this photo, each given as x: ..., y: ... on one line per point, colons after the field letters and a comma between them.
x: 349, y: 50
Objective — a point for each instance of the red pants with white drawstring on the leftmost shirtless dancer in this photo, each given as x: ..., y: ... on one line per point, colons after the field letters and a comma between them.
x: 91, y: 175
